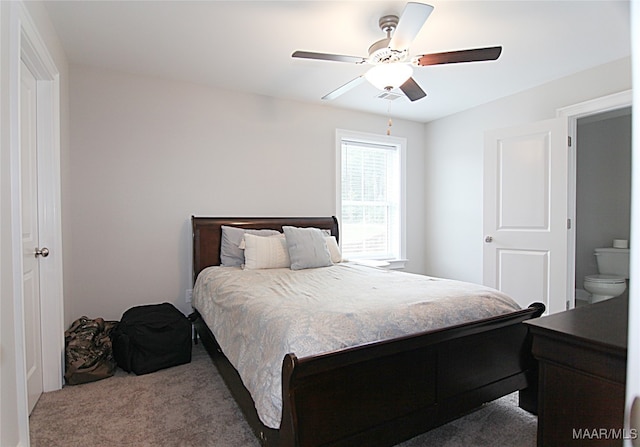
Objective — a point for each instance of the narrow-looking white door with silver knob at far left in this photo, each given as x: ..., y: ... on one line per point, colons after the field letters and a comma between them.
x: 30, y: 242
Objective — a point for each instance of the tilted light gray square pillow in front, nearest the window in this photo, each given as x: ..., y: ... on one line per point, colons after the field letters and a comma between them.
x: 307, y: 248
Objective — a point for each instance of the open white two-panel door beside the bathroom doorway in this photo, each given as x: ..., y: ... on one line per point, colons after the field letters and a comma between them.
x: 525, y: 213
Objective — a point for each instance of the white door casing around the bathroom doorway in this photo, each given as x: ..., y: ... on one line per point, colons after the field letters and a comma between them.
x: 572, y: 114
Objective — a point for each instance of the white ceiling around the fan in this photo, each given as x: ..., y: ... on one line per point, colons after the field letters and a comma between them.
x: 247, y: 45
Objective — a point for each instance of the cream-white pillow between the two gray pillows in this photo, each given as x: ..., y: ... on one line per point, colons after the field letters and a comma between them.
x: 265, y: 252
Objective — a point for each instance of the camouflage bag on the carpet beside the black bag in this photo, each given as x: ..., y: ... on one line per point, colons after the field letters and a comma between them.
x: 88, y: 351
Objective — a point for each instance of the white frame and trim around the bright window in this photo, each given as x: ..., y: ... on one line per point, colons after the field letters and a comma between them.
x: 400, y: 144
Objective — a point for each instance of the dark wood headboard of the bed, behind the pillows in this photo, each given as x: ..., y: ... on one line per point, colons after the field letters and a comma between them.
x: 207, y: 233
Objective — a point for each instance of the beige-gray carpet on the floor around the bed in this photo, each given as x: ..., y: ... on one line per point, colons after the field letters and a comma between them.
x: 189, y: 405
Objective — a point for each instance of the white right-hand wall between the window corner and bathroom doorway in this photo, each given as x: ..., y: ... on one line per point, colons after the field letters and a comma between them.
x: 453, y: 163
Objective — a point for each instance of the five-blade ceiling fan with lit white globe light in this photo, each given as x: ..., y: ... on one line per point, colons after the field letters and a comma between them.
x: 392, y: 64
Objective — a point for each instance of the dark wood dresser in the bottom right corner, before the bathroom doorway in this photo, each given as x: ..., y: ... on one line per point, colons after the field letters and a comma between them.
x: 582, y: 356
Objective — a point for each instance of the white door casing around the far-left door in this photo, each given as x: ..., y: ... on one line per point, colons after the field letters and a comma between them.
x: 25, y: 43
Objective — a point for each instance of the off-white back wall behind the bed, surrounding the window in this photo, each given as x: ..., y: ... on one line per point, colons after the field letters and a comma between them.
x: 146, y: 154
